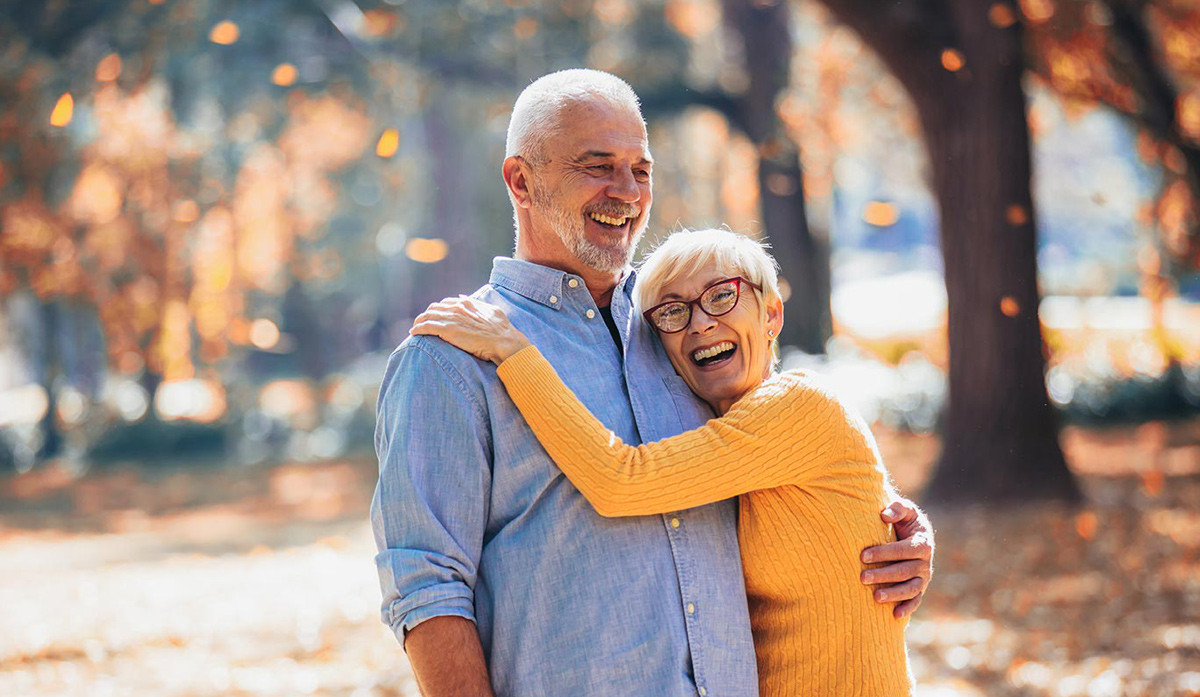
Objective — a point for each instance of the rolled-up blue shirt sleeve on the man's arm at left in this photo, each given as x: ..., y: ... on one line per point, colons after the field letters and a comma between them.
x: 430, y: 507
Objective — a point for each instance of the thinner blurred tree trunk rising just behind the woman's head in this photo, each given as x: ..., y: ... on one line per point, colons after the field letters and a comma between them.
x: 765, y: 29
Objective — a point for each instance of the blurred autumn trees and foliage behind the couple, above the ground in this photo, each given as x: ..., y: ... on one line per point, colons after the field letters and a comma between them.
x: 219, y: 219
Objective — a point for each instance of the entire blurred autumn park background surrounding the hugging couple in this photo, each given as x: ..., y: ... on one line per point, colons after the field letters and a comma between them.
x: 218, y: 219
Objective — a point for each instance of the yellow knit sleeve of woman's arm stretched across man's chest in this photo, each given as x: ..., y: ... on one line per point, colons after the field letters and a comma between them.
x: 781, y: 434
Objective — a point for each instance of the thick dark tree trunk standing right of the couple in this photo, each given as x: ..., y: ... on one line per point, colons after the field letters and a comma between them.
x: 1000, y: 434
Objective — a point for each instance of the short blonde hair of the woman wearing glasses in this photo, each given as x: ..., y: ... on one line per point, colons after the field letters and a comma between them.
x: 686, y: 253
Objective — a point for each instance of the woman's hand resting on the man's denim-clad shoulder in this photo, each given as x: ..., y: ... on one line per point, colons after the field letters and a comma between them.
x: 473, y: 326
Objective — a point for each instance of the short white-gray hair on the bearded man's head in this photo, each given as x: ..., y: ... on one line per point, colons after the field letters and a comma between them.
x: 536, y: 115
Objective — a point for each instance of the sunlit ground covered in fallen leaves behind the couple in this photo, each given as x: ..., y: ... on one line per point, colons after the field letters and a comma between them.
x: 239, y: 582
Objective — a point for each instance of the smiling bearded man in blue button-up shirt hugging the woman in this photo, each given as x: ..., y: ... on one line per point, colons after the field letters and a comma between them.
x: 497, y: 575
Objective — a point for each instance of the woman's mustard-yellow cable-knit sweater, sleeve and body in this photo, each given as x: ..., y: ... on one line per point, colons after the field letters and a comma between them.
x: 812, y: 489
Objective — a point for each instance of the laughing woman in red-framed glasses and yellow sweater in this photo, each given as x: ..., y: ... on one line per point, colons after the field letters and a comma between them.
x: 806, y: 468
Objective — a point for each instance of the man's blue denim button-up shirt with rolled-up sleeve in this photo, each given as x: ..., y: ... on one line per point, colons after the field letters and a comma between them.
x: 472, y: 519
